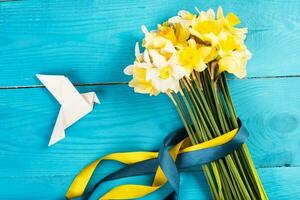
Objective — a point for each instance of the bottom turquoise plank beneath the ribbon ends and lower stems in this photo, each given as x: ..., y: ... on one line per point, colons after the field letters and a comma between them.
x: 280, y: 183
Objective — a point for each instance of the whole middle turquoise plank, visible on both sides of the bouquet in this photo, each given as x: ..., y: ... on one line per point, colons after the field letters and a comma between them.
x: 126, y: 121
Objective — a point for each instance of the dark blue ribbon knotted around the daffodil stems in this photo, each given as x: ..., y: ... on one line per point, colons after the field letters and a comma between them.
x: 170, y: 168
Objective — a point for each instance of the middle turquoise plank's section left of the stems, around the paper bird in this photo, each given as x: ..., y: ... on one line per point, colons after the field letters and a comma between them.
x: 124, y: 121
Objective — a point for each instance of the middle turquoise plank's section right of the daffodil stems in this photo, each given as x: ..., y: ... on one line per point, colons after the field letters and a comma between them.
x: 270, y: 109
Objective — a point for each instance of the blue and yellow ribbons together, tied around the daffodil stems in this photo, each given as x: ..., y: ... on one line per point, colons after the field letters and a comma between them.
x: 176, y: 154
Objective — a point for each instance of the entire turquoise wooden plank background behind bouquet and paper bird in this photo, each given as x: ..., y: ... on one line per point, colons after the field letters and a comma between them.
x: 91, y: 42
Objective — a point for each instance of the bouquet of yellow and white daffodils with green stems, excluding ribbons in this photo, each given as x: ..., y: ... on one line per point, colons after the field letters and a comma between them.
x: 186, y: 58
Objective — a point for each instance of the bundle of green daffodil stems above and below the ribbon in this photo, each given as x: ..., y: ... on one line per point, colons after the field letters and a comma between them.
x: 206, y: 110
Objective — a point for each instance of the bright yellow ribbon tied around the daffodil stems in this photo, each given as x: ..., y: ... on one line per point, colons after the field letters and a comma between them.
x: 131, y: 191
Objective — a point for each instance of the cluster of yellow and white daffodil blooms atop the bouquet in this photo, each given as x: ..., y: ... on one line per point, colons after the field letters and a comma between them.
x: 187, y: 43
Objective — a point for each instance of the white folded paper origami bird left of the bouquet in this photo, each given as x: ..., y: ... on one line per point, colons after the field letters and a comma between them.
x: 73, y: 104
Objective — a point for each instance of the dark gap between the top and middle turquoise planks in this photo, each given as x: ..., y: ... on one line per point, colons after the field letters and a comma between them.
x: 124, y: 82
